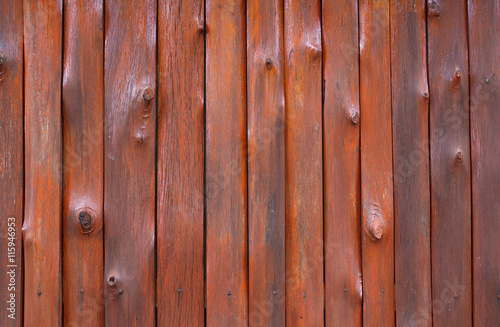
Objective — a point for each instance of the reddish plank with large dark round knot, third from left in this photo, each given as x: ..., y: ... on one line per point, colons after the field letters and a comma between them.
x: 83, y: 124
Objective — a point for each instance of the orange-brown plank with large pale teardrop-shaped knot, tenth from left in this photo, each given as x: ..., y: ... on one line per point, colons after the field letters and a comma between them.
x: 376, y: 164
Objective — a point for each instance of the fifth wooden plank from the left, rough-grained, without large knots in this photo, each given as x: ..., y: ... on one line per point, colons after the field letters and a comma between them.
x: 180, y: 256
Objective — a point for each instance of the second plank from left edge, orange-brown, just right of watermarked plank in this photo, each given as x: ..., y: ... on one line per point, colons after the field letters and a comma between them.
x: 43, y: 149
